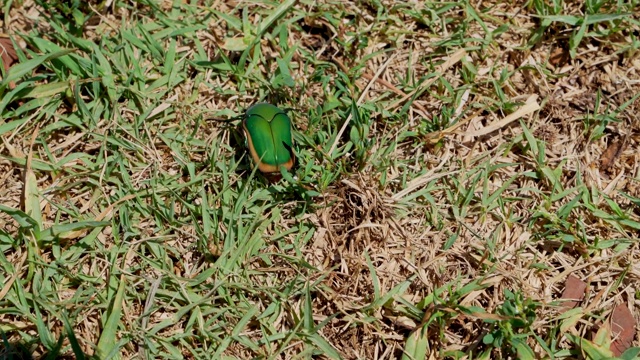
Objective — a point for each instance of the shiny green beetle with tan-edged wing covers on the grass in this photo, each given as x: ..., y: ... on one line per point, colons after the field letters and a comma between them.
x: 269, y: 138
